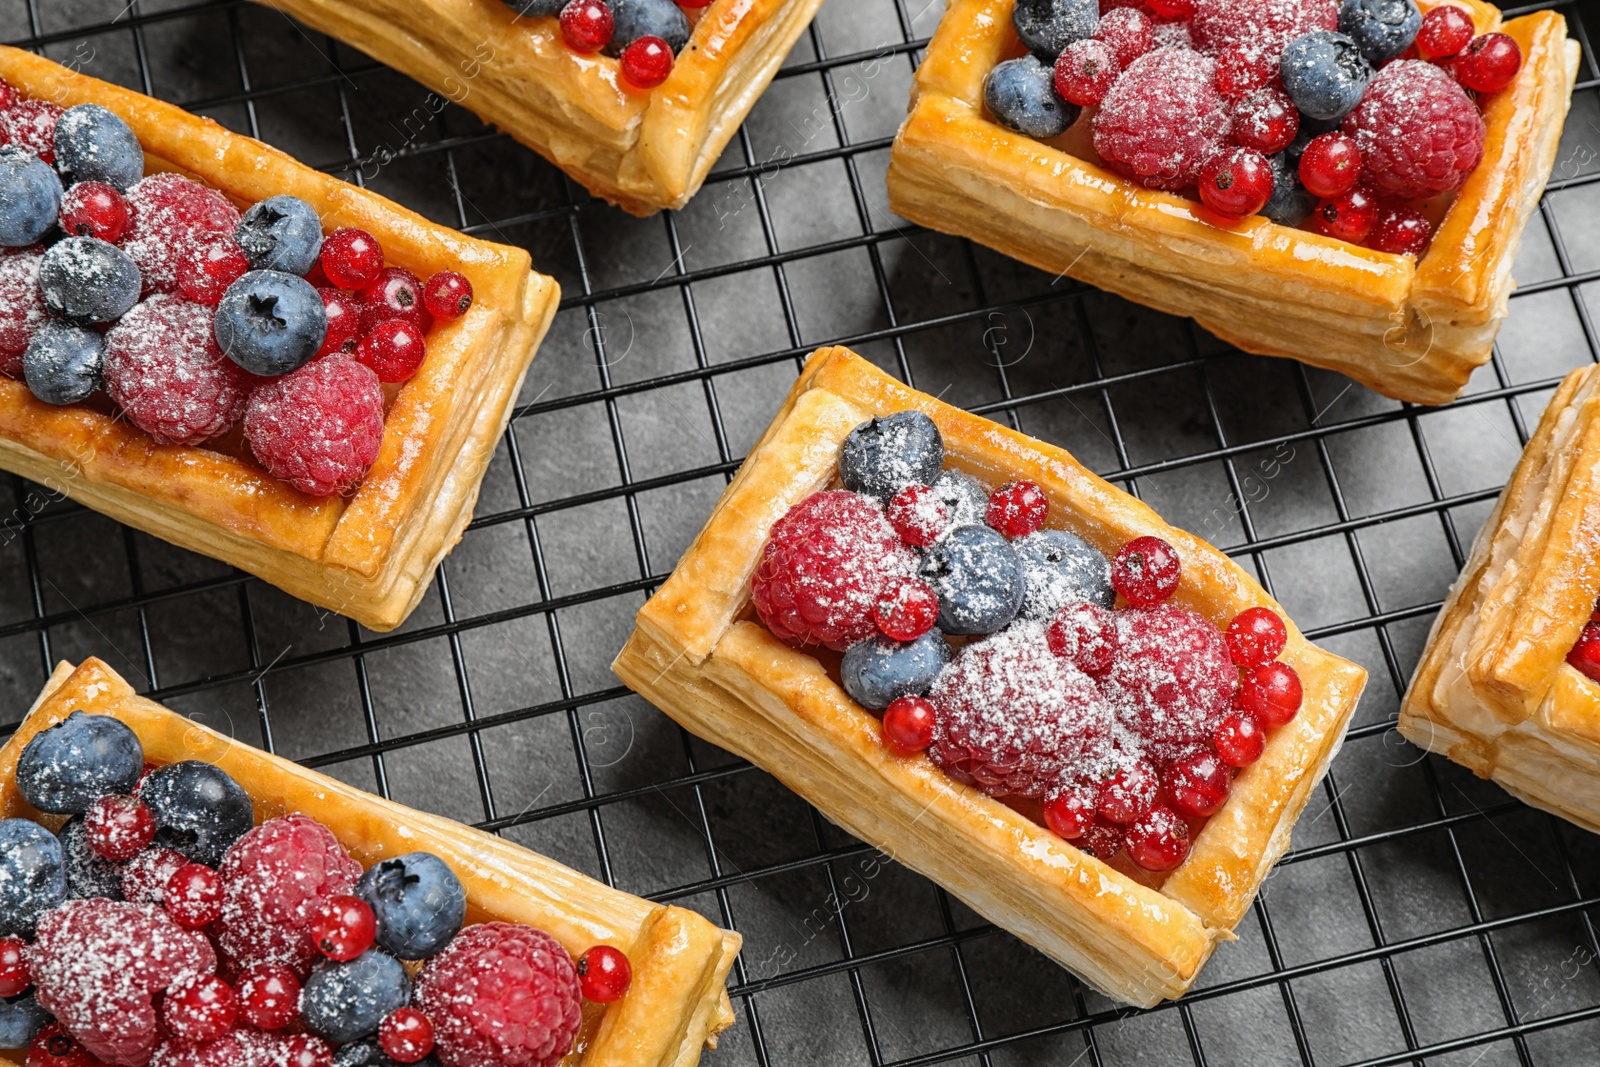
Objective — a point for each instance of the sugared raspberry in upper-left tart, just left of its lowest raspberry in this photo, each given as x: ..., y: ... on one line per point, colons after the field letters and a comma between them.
x: 167, y: 372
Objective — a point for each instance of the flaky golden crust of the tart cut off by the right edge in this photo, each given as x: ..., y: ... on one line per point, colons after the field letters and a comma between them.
x: 1494, y: 690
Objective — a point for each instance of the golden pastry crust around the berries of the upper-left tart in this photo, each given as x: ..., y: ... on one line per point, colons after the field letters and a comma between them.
x: 374, y: 554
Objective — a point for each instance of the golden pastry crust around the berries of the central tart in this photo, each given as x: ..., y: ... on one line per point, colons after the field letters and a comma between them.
x: 698, y: 657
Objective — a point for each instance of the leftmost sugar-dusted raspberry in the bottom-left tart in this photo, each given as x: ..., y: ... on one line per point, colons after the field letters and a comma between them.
x: 98, y: 965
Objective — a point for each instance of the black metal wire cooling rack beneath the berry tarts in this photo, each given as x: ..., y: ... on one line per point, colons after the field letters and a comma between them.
x: 1271, y: 999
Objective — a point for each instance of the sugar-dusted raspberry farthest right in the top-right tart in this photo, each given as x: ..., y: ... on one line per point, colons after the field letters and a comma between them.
x: 1418, y: 132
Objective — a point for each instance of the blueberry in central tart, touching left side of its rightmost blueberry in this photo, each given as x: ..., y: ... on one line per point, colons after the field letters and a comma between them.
x: 978, y: 578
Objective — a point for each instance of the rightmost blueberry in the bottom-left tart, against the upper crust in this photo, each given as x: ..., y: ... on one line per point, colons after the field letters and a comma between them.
x: 418, y: 901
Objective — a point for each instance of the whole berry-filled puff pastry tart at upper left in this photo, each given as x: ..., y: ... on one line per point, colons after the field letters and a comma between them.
x: 329, y: 441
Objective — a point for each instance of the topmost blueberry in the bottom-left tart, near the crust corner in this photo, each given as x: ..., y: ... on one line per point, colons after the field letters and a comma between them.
x: 71, y: 765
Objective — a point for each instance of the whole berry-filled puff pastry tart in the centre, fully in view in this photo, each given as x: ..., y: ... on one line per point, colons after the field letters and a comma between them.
x: 1103, y: 783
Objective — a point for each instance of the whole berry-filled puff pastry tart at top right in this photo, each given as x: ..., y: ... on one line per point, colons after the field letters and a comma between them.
x: 1210, y: 207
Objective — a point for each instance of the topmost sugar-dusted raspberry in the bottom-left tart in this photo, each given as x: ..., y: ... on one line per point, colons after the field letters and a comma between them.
x: 274, y: 881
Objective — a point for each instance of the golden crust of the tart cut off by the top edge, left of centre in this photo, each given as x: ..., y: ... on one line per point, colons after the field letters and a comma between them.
x: 642, y: 151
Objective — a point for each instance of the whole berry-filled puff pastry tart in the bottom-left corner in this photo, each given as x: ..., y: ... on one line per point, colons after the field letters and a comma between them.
x: 268, y: 916
